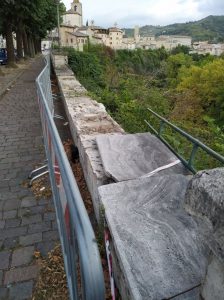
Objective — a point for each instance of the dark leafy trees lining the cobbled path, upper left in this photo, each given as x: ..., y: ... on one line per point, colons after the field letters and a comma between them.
x: 31, y: 20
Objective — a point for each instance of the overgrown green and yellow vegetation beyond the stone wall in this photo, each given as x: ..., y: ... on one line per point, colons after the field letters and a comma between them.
x: 186, y: 89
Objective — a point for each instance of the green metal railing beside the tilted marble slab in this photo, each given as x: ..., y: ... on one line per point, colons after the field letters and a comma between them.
x: 196, y: 144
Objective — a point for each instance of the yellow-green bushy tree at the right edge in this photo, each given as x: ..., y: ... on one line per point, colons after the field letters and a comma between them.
x: 205, y: 85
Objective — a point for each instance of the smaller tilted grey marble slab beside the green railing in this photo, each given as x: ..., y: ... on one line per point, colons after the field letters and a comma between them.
x: 134, y: 155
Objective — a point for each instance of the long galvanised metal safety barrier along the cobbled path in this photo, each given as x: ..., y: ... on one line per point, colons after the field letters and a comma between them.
x: 79, y: 246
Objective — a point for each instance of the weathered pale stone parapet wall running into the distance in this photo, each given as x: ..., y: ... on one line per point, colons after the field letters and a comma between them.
x: 87, y: 119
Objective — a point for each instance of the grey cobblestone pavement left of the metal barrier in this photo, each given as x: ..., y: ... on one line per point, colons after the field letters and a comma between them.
x: 26, y: 224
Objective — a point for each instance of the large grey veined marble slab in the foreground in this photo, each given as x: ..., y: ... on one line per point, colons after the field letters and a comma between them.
x: 160, y: 249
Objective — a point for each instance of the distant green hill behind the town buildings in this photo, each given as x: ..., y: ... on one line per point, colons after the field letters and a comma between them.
x: 210, y: 28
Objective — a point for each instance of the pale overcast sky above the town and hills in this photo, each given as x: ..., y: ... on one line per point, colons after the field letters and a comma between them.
x: 128, y: 13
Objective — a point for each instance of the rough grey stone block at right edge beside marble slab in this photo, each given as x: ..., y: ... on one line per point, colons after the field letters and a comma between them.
x: 205, y: 198
